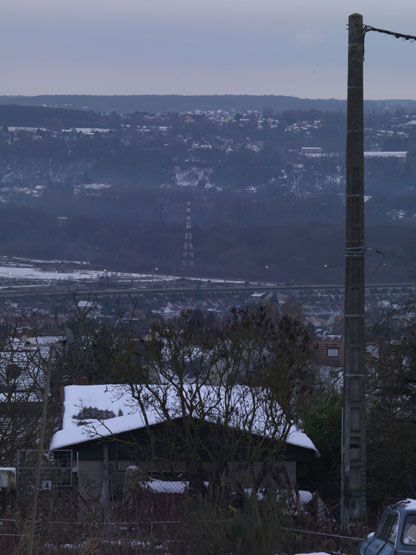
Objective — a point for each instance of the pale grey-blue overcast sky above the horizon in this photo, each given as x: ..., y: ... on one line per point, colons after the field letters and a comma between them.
x: 289, y: 47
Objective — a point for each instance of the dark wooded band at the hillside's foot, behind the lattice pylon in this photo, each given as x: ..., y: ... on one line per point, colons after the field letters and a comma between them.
x: 126, y: 238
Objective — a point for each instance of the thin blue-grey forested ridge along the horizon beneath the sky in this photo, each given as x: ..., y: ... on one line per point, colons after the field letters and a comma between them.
x: 177, y: 103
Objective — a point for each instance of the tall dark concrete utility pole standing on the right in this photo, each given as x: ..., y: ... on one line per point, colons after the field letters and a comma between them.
x: 353, y: 478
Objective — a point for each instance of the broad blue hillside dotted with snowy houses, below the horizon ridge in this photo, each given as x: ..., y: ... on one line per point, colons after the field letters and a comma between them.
x: 263, y: 207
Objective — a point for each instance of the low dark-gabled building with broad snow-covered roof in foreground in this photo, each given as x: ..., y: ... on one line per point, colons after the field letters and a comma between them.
x: 108, y: 433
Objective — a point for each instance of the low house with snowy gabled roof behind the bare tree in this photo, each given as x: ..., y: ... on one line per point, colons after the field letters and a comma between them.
x: 112, y: 429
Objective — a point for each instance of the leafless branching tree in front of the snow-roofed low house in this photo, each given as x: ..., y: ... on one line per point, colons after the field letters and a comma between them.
x: 227, y: 397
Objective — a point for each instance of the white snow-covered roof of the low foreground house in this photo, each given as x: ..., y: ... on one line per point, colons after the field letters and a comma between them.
x: 98, y: 411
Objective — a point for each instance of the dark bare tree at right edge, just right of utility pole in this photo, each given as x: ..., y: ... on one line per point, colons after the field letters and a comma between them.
x: 391, y: 369
